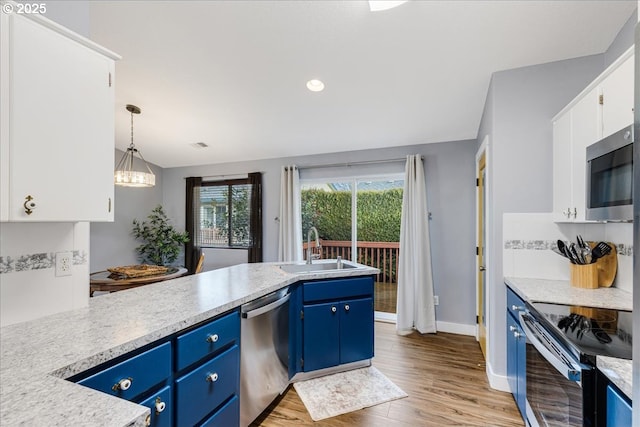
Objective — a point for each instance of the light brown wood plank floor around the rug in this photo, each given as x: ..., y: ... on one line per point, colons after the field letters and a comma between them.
x: 443, y: 374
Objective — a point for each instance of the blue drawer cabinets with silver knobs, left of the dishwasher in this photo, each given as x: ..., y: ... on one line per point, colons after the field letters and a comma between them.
x: 189, y: 378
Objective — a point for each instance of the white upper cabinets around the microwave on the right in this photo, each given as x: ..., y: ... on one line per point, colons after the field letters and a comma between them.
x: 604, y: 107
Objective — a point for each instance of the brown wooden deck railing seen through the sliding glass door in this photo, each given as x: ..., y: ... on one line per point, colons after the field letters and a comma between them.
x: 381, y: 255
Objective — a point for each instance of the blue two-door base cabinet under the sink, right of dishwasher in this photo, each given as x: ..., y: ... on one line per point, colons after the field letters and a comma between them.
x: 334, y: 323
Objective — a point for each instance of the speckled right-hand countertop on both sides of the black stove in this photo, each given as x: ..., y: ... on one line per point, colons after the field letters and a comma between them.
x: 619, y: 371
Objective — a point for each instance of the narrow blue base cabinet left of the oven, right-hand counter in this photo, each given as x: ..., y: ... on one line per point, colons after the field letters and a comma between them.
x: 516, y: 352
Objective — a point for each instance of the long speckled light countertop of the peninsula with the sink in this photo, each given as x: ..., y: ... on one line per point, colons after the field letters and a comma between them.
x: 36, y: 356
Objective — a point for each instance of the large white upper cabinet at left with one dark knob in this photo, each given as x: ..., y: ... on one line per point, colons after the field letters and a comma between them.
x: 57, y: 111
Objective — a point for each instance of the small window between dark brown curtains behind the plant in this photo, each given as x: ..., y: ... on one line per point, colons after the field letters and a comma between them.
x: 225, y: 212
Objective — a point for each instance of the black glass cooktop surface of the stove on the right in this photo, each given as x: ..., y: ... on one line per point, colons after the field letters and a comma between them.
x: 589, y: 331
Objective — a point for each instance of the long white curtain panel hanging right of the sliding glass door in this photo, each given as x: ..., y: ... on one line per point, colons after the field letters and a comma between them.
x: 415, y: 308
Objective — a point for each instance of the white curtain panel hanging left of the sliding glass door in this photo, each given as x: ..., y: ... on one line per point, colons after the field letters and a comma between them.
x: 290, y: 237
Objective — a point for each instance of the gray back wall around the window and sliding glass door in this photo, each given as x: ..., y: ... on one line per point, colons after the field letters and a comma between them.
x: 450, y: 171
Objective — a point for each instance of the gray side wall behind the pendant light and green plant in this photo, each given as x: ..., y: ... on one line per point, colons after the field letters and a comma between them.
x: 111, y: 242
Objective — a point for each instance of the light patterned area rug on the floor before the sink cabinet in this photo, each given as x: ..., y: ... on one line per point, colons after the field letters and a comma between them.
x: 345, y: 392
